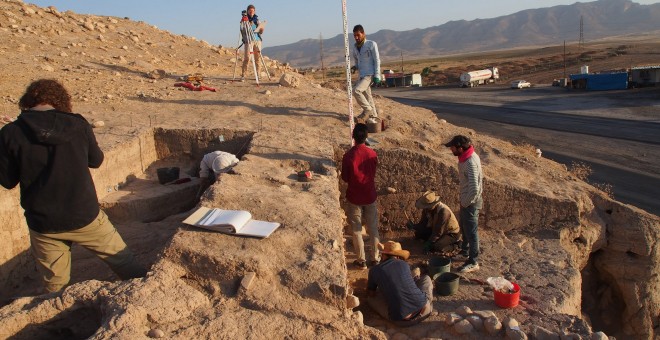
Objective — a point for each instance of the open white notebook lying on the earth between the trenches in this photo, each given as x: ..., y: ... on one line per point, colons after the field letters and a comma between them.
x: 237, y: 222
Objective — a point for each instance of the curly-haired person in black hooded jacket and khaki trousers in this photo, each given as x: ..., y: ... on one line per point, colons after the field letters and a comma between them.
x: 48, y: 151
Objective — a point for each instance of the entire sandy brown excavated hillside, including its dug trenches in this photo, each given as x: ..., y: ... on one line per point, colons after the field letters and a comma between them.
x: 584, y: 262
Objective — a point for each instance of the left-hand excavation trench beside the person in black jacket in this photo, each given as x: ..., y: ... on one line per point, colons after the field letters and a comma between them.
x: 131, y: 195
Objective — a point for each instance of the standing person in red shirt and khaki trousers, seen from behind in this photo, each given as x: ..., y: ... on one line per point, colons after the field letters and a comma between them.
x: 359, y: 171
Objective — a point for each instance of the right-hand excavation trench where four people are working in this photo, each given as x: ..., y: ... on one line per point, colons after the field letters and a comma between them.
x: 532, y: 224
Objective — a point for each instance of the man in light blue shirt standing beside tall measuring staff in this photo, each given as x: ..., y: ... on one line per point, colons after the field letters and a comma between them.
x: 367, y: 61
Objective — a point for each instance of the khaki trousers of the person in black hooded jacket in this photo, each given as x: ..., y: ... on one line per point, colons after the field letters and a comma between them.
x: 53, y: 252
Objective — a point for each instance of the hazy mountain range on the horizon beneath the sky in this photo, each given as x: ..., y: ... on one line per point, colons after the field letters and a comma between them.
x: 533, y: 27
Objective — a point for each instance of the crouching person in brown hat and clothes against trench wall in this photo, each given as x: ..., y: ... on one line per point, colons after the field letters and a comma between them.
x: 437, y: 226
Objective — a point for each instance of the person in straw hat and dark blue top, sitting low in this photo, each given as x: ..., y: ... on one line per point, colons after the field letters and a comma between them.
x: 392, y: 290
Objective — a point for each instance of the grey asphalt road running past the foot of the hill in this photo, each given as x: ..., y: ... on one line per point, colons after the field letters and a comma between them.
x: 616, y: 133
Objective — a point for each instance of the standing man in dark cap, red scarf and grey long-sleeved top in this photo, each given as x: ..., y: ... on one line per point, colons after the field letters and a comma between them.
x: 470, y: 180
